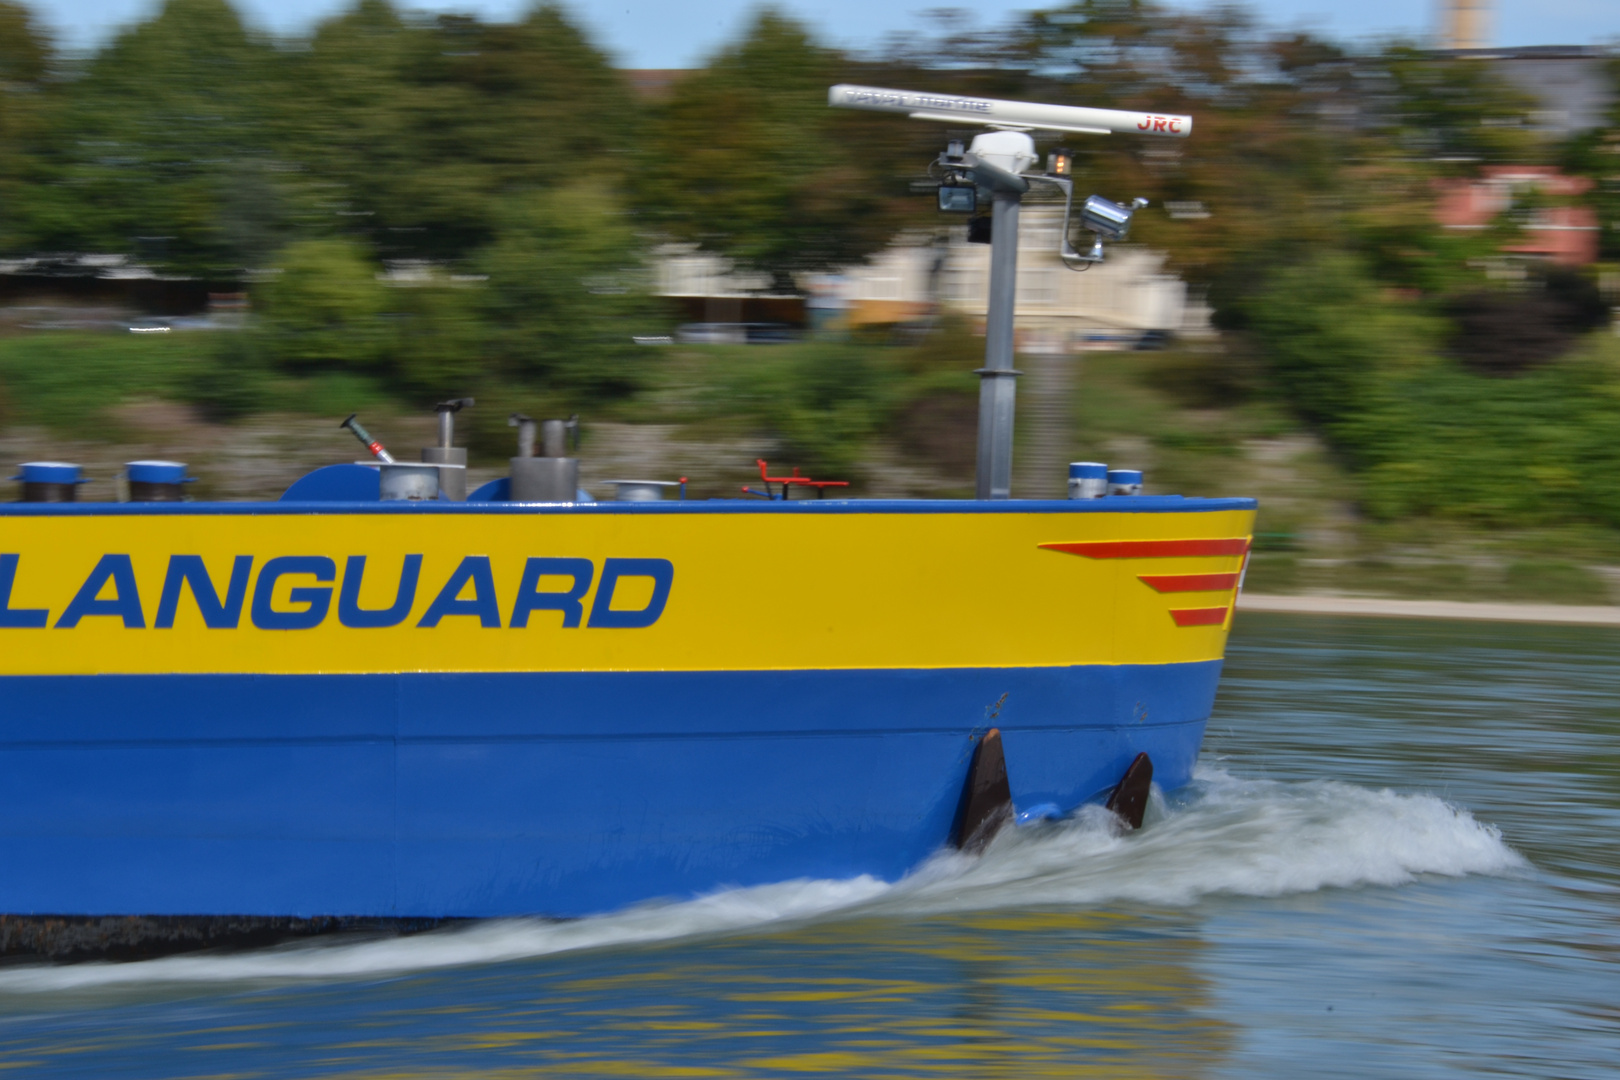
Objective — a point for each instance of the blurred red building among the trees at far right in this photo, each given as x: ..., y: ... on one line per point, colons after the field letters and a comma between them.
x: 1559, y: 234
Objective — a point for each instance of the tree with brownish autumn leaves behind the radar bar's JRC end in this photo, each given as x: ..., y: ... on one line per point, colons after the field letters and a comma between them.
x: 1269, y: 134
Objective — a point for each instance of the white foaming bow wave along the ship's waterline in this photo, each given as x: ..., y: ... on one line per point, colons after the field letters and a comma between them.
x: 1222, y: 836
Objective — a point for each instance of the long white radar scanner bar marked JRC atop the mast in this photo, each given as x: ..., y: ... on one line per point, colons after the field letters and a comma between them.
x: 1000, y: 114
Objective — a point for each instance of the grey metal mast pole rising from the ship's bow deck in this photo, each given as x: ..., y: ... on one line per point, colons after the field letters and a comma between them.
x: 997, y: 380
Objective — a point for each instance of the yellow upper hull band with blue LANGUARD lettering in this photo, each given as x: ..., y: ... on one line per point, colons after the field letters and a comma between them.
x: 743, y: 592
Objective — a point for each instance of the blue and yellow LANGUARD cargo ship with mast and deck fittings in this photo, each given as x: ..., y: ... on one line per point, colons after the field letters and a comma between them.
x: 385, y: 700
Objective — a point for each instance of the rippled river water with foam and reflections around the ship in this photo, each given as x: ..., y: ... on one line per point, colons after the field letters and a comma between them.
x: 1400, y: 859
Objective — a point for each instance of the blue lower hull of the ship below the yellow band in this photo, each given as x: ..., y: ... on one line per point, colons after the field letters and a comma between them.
x: 440, y: 796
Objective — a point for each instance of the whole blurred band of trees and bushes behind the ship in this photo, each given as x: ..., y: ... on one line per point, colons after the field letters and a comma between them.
x: 516, y: 172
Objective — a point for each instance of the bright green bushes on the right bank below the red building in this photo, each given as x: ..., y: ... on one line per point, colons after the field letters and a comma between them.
x: 1426, y: 433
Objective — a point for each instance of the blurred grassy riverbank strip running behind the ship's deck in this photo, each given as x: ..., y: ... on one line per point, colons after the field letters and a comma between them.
x: 895, y: 420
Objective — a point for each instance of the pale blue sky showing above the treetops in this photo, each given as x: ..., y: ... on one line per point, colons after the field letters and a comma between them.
x: 681, y: 35
